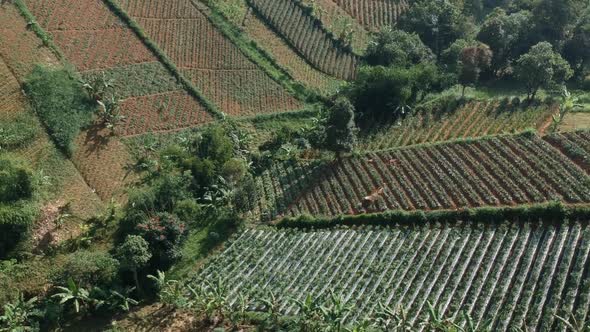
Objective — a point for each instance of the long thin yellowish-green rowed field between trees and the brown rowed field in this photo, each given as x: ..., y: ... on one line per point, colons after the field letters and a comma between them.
x: 474, y: 119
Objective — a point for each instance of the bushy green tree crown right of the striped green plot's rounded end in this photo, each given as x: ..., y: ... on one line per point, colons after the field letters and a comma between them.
x: 398, y: 48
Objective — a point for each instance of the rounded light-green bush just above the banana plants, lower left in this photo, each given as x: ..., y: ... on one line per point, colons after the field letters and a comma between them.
x: 88, y: 268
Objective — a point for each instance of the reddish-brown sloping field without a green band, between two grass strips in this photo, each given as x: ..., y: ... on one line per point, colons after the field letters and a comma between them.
x: 204, y: 56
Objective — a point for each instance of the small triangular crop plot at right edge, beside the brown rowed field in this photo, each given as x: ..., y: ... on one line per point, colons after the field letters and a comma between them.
x: 576, y: 145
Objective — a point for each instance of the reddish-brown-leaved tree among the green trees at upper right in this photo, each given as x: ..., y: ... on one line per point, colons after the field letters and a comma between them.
x: 474, y: 60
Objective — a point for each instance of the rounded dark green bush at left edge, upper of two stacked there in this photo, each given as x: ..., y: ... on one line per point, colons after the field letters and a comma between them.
x: 16, y: 180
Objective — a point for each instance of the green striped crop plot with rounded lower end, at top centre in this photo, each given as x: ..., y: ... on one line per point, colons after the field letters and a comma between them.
x: 307, y: 35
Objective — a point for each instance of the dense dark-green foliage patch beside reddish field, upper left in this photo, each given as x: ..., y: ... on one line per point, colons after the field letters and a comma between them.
x: 61, y: 103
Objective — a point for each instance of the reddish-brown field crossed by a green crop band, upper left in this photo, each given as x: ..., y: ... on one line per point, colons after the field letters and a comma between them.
x: 104, y: 44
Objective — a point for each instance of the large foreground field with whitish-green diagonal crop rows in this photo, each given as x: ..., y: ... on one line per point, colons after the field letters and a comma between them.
x: 512, y: 274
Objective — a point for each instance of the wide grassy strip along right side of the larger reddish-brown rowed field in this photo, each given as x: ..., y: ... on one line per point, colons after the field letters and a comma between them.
x: 256, y: 54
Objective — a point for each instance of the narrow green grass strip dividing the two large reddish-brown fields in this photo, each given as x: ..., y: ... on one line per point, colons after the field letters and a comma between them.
x: 161, y: 55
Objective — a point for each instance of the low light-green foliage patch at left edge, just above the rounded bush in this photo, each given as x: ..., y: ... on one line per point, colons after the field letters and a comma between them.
x: 17, y: 132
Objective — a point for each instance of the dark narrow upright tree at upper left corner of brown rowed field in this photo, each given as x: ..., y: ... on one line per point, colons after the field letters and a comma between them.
x: 341, y: 128
